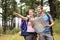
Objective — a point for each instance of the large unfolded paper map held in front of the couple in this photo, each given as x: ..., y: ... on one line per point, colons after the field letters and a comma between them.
x: 39, y: 24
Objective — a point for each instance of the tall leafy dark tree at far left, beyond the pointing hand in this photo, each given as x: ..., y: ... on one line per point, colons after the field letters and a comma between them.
x: 8, y: 7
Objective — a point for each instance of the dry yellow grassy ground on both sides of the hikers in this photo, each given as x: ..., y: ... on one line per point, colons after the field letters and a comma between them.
x: 18, y: 37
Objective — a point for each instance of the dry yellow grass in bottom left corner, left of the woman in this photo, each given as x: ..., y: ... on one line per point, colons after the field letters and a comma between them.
x: 11, y: 37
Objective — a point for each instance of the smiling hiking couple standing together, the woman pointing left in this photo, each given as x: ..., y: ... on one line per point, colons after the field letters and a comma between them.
x: 44, y: 35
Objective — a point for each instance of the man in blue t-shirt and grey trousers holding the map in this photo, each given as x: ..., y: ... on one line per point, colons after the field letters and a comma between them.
x: 45, y: 34
